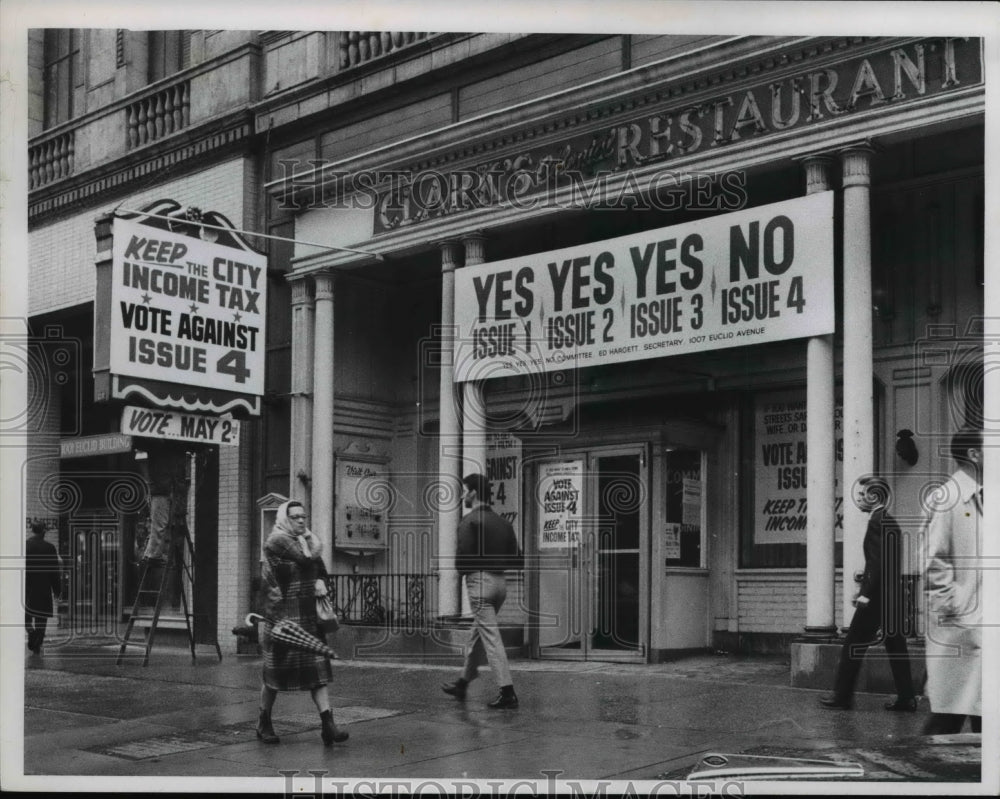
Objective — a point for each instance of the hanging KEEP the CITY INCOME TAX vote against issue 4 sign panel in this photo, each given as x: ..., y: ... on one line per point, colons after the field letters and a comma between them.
x: 187, y: 311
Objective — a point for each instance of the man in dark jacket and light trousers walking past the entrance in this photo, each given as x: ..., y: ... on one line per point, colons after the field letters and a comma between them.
x: 486, y: 547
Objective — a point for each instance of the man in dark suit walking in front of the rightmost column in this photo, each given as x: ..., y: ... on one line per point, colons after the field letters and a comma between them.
x: 880, y: 604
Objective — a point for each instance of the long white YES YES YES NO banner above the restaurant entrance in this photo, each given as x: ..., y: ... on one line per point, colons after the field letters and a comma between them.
x: 754, y: 276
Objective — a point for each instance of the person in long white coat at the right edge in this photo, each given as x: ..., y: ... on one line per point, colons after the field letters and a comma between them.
x: 953, y: 581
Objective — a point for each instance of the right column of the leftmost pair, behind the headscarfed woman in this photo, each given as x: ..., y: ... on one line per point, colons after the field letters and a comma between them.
x: 321, y: 521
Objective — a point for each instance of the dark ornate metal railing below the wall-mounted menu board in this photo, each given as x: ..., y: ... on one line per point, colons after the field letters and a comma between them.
x: 398, y: 601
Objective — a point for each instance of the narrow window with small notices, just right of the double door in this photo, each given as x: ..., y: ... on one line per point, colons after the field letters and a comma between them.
x: 684, y: 508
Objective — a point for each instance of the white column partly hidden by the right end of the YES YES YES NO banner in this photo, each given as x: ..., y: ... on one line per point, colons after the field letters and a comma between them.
x: 820, y: 444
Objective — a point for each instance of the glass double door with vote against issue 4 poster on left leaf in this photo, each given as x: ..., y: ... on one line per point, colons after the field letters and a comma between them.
x: 592, y: 512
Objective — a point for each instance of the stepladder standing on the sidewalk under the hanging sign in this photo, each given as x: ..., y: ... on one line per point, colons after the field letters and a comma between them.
x: 180, y: 556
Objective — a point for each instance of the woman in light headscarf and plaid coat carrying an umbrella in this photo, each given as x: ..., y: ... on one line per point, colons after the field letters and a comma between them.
x: 294, y: 575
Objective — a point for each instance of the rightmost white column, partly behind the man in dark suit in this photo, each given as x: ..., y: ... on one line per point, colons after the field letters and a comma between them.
x: 859, y: 427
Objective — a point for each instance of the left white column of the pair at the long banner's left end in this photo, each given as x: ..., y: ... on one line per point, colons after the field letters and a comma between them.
x: 449, y: 441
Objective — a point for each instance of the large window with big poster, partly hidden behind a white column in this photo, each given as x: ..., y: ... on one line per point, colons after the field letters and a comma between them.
x: 773, y: 493
